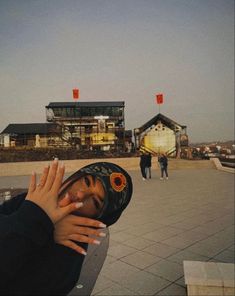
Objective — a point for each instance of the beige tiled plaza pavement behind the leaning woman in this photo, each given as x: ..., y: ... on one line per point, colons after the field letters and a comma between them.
x: 188, y: 217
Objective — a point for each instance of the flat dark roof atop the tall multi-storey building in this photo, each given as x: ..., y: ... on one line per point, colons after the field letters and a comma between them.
x: 86, y: 104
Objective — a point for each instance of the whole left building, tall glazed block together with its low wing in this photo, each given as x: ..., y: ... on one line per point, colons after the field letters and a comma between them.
x: 98, y: 126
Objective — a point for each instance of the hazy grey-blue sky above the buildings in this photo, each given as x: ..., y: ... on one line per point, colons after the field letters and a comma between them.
x: 121, y: 50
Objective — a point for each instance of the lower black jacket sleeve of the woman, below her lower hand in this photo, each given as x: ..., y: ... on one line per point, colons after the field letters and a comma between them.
x: 55, y: 270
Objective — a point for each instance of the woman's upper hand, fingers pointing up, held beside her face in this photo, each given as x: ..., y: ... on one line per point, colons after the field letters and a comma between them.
x: 45, y: 194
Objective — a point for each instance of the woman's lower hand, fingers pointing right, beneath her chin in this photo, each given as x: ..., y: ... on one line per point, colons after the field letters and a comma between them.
x: 73, y: 229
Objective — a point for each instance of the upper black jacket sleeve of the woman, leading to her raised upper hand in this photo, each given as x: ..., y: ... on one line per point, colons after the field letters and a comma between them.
x: 23, y: 232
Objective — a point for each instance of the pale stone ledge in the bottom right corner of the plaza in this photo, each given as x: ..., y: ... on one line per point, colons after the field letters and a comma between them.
x: 209, y: 278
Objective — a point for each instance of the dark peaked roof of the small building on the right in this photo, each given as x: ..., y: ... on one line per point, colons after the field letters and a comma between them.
x: 164, y: 120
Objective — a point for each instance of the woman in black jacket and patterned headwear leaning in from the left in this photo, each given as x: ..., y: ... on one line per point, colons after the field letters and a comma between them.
x: 43, y: 233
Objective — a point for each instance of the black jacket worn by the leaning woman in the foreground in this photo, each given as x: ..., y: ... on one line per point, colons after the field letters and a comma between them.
x: 31, y: 262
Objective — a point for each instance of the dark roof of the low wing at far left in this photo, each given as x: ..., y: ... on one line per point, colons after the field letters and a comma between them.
x: 29, y: 128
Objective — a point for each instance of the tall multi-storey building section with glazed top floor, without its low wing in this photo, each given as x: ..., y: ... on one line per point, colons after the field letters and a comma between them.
x: 89, y: 125
